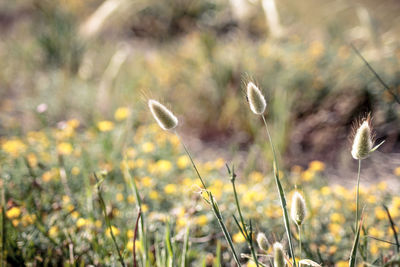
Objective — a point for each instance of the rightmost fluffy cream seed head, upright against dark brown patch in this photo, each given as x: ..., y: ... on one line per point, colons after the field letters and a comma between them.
x: 363, y: 141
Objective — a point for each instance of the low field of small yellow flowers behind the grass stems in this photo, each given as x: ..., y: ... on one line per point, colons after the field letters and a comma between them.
x: 52, y: 214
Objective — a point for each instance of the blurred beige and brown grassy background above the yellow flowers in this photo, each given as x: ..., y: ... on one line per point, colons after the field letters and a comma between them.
x: 83, y: 59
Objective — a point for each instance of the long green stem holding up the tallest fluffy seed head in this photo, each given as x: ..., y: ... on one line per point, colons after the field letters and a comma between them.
x: 281, y: 194
